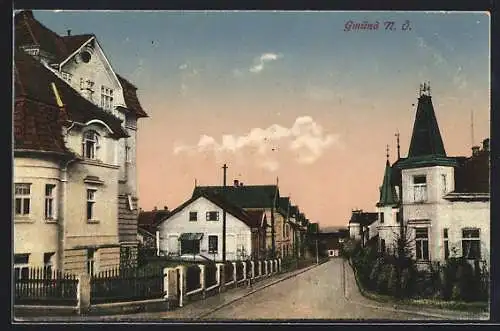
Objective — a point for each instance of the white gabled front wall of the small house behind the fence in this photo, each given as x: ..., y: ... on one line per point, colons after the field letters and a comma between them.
x: 179, y: 223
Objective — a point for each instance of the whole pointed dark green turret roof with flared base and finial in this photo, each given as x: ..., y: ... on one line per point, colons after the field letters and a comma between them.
x: 426, y: 146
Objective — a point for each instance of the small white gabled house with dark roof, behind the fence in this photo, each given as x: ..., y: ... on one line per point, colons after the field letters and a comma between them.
x: 194, y: 230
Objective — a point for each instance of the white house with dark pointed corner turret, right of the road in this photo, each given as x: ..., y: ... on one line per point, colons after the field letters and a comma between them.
x: 445, y: 200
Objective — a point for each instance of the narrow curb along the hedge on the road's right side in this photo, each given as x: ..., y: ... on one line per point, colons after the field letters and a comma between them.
x: 394, y: 309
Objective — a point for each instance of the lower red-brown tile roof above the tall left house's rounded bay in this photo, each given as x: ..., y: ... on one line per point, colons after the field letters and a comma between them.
x: 38, y: 119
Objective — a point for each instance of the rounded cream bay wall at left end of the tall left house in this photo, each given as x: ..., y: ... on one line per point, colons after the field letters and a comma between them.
x: 34, y: 234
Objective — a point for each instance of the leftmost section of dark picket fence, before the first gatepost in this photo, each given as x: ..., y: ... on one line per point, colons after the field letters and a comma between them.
x: 46, y: 287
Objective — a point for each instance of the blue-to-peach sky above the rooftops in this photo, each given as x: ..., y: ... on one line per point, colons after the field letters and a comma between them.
x: 293, y: 96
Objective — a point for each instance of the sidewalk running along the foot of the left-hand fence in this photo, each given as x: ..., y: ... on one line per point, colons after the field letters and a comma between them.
x: 190, y: 311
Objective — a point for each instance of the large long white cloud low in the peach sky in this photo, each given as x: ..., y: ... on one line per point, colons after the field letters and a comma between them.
x: 305, y: 139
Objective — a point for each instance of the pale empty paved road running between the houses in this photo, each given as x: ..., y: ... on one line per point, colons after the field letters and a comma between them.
x: 320, y: 293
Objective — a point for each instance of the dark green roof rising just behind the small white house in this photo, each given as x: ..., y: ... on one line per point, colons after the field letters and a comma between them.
x: 254, y: 196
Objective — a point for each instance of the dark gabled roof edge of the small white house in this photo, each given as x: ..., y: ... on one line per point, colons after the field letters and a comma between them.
x: 252, y: 220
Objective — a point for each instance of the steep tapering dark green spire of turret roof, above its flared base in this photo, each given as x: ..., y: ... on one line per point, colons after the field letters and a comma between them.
x: 426, y: 138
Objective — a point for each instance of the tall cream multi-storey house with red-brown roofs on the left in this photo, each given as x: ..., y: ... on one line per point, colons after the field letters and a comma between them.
x: 69, y: 158
